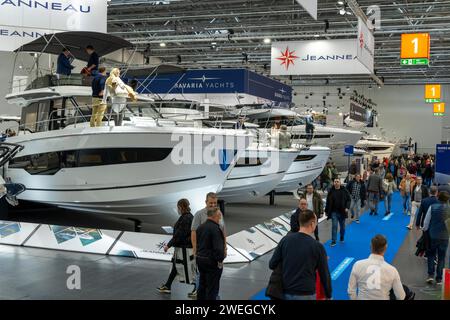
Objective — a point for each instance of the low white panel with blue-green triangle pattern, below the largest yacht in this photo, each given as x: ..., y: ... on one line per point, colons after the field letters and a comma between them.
x: 77, y: 239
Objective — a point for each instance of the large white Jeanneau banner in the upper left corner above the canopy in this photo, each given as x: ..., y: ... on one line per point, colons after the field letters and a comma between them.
x: 22, y: 21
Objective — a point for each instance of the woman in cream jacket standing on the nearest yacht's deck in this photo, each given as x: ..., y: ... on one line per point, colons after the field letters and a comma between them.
x: 118, y: 91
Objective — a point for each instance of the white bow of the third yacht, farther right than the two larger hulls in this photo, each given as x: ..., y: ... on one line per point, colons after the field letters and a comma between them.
x: 306, y: 167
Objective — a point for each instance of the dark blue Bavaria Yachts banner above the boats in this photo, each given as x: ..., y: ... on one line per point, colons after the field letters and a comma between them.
x: 217, y: 81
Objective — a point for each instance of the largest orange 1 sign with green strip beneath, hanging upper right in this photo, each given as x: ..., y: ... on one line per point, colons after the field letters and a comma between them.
x: 415, y: 49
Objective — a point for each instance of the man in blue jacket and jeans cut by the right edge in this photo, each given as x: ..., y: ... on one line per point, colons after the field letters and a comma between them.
x: 435, y: 223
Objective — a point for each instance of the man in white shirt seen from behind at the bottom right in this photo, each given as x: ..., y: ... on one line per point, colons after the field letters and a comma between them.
x: 374, y: 278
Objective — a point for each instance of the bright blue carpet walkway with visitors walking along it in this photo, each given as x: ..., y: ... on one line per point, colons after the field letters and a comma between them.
x: 357, y: 245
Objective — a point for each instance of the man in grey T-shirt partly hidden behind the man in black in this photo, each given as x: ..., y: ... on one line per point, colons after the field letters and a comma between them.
x: 200, y: 218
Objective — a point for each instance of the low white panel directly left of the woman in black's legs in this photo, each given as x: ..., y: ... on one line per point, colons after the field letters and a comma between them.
x: 143, y: 246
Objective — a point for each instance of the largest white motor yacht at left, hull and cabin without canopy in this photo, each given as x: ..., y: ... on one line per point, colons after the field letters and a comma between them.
x: 133, y: 169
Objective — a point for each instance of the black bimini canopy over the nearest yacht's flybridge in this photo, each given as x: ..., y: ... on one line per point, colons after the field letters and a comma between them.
x: 76, y: 42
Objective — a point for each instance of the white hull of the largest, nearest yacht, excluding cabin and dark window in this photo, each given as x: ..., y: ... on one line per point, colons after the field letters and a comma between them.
x: 142, y: 188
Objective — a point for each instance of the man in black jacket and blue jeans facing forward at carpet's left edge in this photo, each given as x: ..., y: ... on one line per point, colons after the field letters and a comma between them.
x: 337, y: 207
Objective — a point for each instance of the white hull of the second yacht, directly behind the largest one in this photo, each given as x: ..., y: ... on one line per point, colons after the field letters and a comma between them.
x: 247, y: 183
